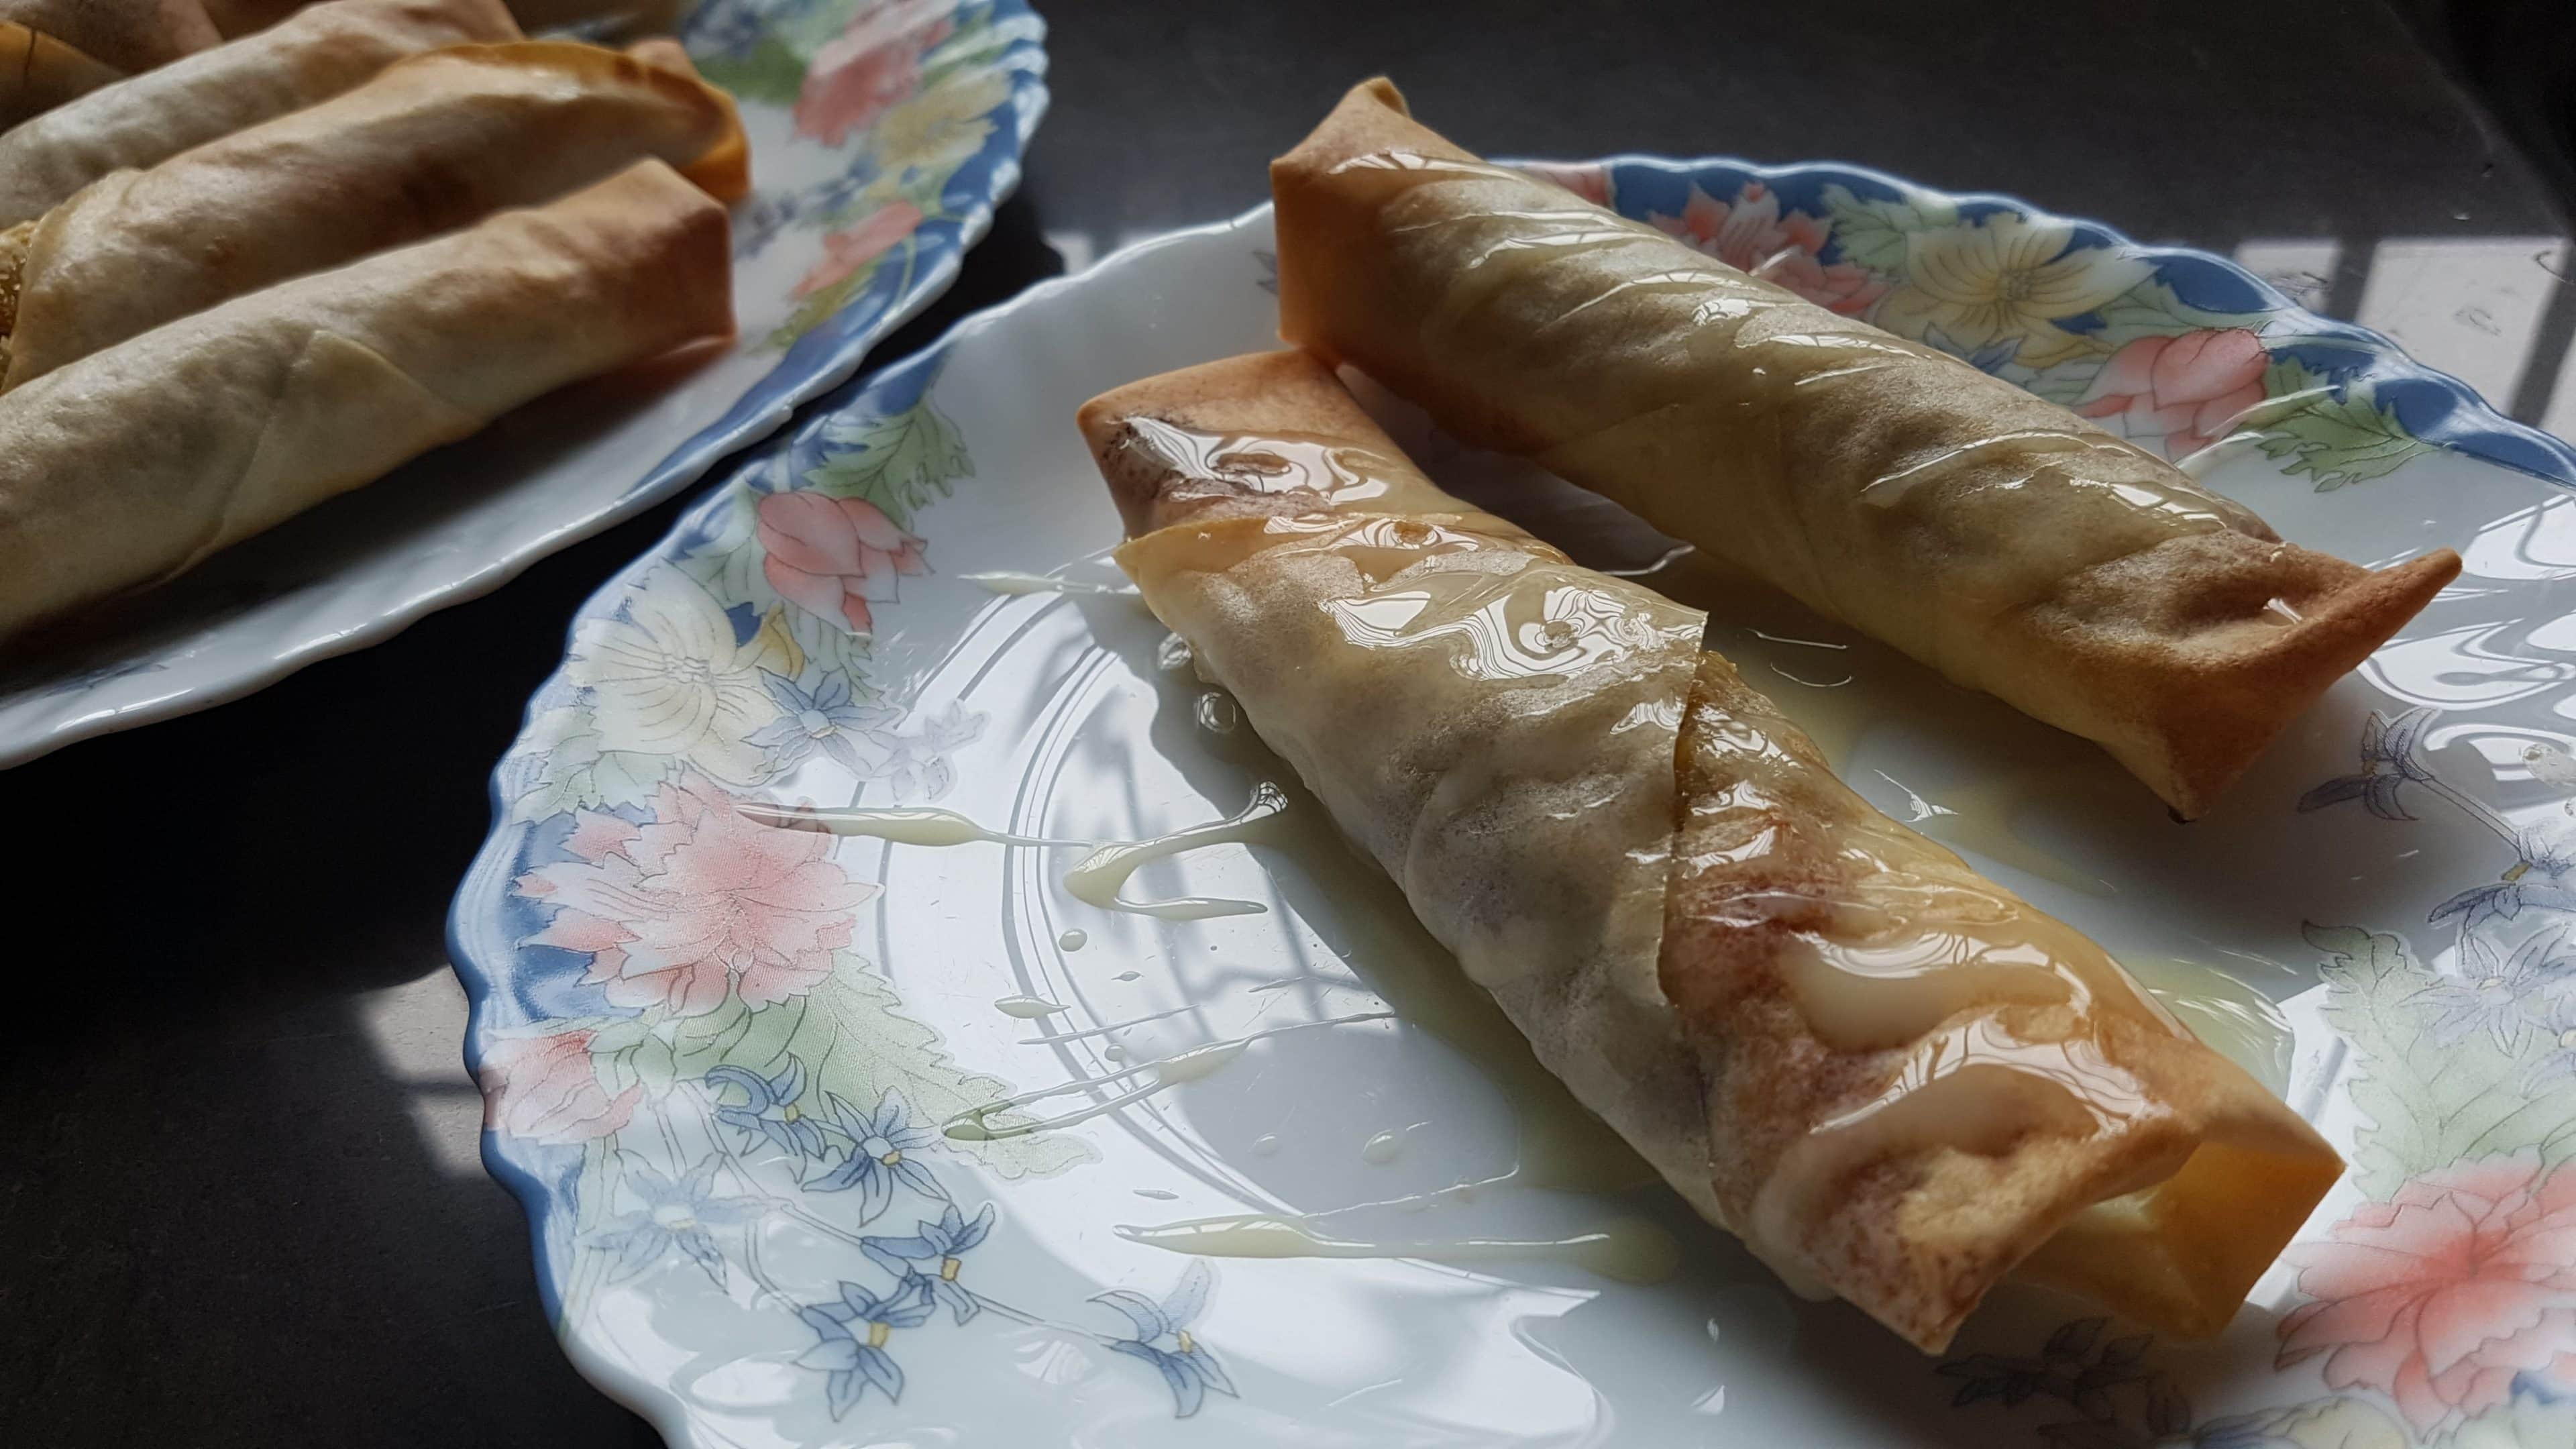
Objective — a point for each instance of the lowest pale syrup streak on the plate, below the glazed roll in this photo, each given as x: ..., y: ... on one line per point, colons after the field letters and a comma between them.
x: 1632, y: 1252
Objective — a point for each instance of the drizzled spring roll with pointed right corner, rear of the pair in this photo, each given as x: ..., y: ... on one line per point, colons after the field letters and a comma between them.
x: 1951, y: 514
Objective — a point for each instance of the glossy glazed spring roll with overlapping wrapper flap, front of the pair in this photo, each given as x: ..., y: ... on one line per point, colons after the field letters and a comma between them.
x: 1887, y: 1074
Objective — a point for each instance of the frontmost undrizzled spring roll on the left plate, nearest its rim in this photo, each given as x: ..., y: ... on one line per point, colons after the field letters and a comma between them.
x: 138, y: 463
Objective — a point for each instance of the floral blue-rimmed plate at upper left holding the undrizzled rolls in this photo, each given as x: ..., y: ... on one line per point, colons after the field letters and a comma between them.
x: 885, y: 133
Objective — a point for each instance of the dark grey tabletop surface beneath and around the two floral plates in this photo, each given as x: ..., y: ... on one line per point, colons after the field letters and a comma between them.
x: 241, y: 1200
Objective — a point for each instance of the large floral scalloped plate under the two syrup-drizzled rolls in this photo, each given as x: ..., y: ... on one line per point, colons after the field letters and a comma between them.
x: 846, y: 1141
